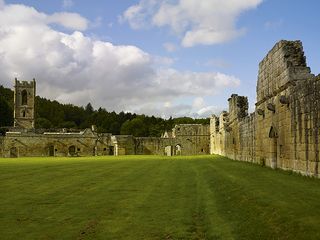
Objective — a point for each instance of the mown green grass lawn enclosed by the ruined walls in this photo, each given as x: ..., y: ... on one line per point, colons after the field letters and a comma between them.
x: 152, y: 197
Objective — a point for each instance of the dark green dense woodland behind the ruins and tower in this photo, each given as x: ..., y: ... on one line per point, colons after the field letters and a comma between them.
x: 52, y: 114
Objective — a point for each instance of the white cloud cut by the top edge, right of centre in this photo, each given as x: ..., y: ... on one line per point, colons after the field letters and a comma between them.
x: 197, y: 21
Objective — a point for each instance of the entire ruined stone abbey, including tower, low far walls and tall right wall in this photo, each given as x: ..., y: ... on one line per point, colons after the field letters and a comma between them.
x: 283, y: 132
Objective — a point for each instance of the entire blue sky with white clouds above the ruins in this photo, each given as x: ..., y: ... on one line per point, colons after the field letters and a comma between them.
x: 155, y: 57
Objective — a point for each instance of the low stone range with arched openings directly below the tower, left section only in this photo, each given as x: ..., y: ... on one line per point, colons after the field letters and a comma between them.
x: 28, y: 144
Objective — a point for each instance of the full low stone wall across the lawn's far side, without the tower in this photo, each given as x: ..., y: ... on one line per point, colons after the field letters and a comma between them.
x: 190, y: 139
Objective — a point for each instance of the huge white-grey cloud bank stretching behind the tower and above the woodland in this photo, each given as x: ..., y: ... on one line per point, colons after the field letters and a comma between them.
x: 74, y: 68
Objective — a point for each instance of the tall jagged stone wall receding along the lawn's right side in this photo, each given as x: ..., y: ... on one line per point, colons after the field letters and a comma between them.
x: 283, y: 131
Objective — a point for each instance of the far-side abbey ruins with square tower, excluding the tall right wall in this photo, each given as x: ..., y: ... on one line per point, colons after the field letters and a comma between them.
x: 24, y: 141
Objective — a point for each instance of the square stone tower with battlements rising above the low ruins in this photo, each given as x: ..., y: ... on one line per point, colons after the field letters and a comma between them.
x: 24, y: 100
